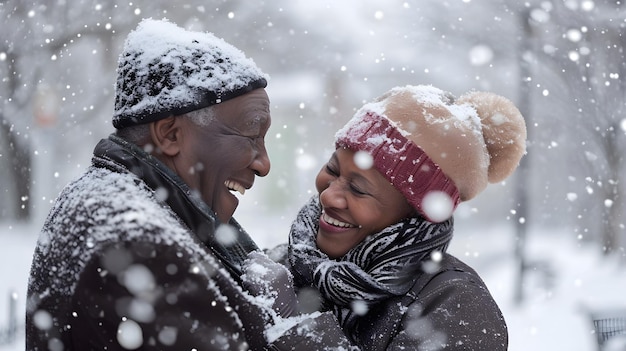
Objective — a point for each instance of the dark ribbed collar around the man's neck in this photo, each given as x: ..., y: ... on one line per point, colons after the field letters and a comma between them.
x: 120, y: 156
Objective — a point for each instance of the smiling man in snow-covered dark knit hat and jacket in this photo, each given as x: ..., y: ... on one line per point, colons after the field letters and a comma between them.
x: 142, y: 252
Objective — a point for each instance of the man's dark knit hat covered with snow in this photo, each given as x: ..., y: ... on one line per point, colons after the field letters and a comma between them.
x: 165, y: 70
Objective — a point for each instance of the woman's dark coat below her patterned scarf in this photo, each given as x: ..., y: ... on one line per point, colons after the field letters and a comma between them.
x: 450, y: 307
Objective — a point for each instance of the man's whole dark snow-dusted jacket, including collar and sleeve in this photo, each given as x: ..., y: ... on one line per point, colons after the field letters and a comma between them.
x: 128, y: 260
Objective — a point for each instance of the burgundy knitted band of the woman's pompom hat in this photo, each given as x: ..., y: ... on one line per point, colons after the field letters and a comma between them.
x: 398, y: 159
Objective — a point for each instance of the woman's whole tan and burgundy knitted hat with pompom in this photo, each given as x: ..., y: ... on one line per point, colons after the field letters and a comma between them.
x: 427, y: 143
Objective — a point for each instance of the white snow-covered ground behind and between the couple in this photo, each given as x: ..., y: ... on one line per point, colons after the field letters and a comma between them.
x: 552, y: 316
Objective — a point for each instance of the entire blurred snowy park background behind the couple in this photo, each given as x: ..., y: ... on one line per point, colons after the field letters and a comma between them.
x: 561, y: 61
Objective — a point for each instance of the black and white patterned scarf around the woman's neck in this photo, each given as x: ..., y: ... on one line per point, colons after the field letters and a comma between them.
x: 384, y: 265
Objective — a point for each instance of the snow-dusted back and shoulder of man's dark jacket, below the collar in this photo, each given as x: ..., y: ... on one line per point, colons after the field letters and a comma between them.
x: 116, y: 270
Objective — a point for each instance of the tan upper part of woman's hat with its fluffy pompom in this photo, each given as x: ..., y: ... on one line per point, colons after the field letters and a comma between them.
x: 476, y: 139
